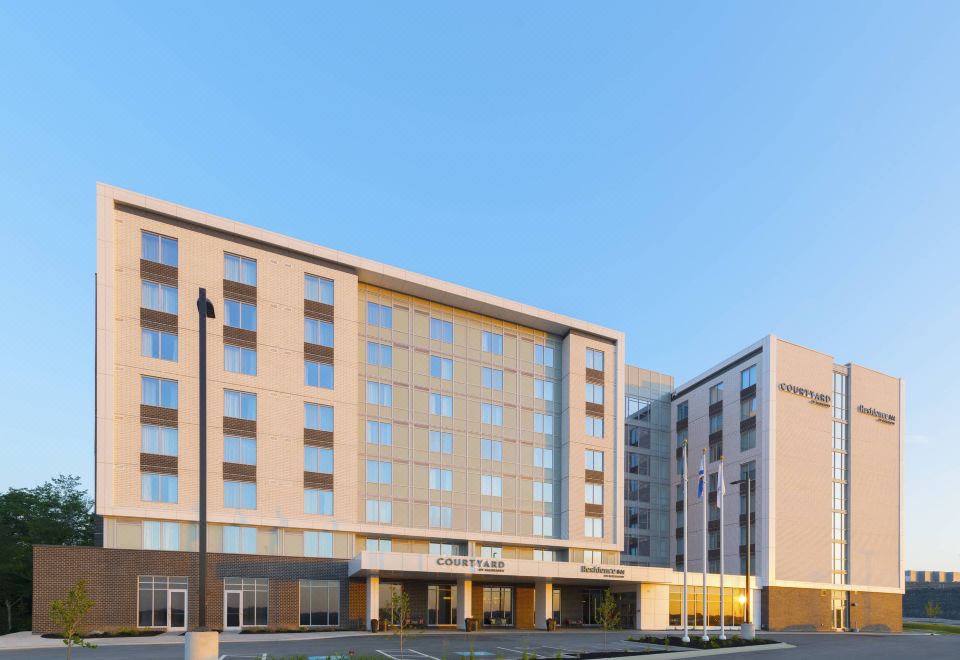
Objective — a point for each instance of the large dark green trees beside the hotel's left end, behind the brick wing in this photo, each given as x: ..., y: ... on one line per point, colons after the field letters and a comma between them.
x: 57, y: 512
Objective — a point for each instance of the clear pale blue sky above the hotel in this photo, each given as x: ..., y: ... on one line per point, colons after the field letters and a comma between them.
x: 696, y: 174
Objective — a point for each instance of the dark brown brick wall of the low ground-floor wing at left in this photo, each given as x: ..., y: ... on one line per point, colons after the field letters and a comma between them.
x: 112, y: 574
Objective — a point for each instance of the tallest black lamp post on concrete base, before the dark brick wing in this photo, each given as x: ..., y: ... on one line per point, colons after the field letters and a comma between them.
x: 202, y: 643
